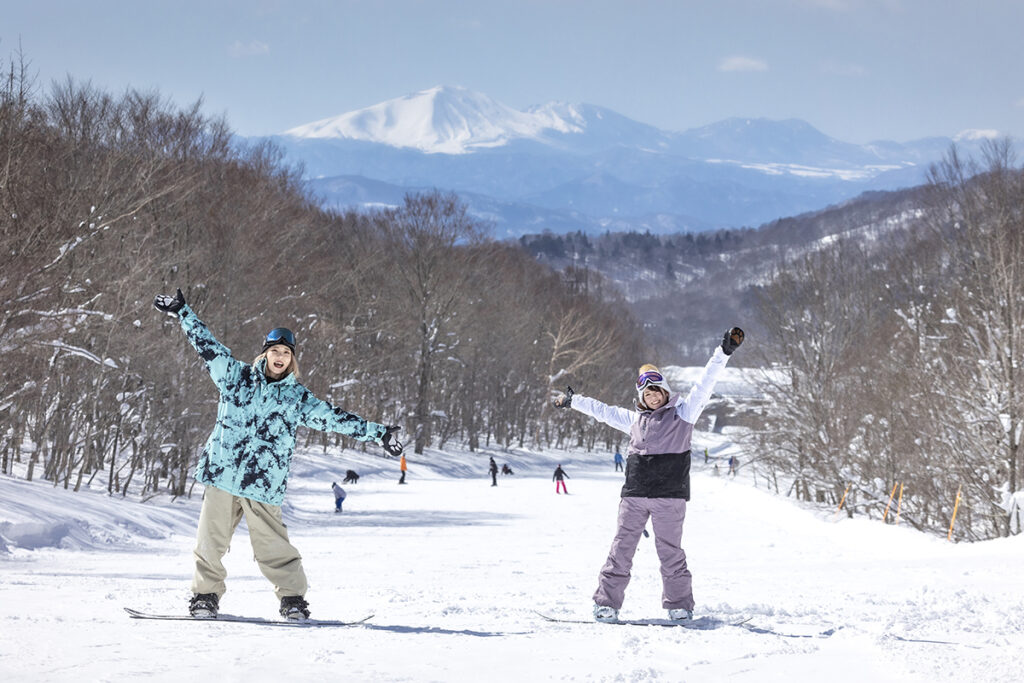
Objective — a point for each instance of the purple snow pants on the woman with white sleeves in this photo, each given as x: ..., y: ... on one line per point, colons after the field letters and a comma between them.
x: 667, y: 520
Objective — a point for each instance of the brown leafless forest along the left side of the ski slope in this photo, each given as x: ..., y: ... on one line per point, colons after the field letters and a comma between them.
x: 407, y: 316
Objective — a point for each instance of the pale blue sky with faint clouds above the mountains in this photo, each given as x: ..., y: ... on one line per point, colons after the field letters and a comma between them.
x: 858, y: 70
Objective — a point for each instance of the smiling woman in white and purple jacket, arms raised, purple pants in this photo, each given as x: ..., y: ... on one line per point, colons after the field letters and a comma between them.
x: 658, y: 480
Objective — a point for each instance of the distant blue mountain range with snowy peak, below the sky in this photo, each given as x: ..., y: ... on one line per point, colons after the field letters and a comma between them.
x: 566, y: 168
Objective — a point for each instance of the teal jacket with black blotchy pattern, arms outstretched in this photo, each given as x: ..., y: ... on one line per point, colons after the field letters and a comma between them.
x: 249, y: 453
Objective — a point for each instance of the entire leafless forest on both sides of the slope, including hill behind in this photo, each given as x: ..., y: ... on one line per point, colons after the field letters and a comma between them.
x: 891, y: 358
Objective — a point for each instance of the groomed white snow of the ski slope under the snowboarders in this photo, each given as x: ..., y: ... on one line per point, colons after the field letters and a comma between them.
x: 453, y: 570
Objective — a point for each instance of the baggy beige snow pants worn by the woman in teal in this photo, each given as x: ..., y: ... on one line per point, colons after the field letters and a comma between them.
x: 277, y: 558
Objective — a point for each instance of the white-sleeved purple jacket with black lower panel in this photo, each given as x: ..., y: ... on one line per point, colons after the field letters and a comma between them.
x: 658, y: 464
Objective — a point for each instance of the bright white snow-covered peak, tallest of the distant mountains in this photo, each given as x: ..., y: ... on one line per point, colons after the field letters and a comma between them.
x: 441, y: 120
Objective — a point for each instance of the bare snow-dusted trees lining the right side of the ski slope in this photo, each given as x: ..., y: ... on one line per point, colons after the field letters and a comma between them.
x: 900, y: 361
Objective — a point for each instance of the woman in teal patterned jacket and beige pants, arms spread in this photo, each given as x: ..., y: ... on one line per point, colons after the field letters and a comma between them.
x: 245, y: 464
